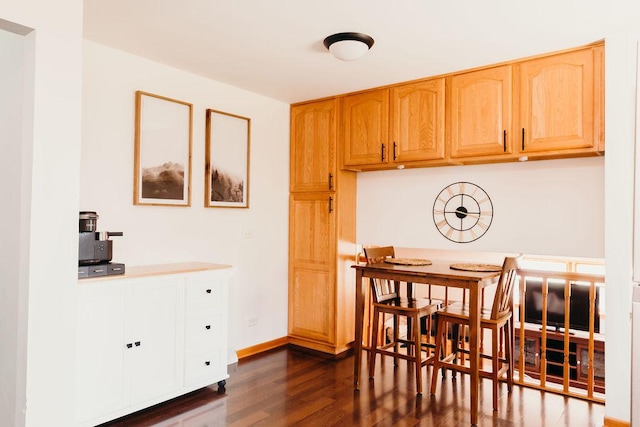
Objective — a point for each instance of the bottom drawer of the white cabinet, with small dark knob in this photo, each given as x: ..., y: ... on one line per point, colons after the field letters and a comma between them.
x: 206, y: 363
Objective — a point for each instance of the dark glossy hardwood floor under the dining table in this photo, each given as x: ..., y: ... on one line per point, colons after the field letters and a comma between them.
x: 285, y: 387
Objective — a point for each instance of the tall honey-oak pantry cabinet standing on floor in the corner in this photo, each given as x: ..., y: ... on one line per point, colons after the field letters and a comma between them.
x: 322, y: 216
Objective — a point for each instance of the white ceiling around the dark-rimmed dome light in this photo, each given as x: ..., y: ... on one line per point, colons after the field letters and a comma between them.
x: 274, y: 48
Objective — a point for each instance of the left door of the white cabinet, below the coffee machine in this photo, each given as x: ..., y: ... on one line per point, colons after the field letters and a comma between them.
x: 100, y: 349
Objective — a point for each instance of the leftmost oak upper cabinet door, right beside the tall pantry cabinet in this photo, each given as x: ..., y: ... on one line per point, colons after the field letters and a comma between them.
x: 365, y: 128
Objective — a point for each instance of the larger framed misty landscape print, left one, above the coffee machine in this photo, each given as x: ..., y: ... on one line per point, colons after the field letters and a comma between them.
x: 163, y: 139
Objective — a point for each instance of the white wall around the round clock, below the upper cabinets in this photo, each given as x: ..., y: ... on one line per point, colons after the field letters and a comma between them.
x: 553, y: 207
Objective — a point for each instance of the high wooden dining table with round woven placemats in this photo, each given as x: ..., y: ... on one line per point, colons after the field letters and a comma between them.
x: 438, y: 273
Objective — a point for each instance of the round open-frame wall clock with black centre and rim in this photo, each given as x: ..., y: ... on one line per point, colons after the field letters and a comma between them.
x: 462, y: 212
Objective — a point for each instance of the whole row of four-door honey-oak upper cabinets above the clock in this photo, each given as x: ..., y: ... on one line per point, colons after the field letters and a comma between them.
x: 546, y: 107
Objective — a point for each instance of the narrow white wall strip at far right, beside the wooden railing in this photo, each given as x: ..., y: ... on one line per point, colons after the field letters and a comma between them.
x: 619, y: 164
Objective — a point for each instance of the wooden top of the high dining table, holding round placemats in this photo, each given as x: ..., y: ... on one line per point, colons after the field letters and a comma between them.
x: 438, y: 273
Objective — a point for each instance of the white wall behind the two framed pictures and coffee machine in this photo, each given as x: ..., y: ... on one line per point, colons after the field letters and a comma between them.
x: 253, y: 240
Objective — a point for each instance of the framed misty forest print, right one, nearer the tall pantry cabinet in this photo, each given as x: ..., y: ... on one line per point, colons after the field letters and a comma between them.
x: 227, y: 160
